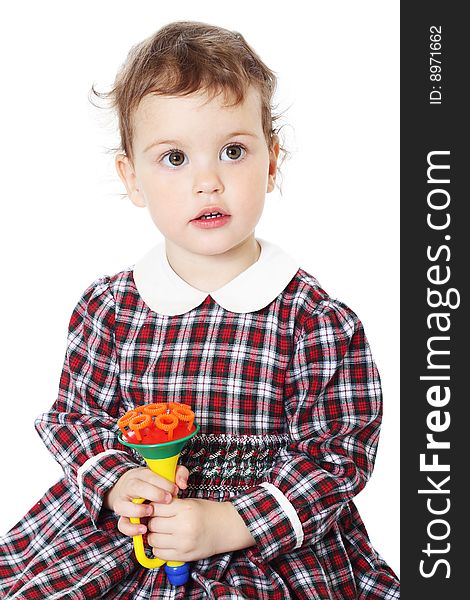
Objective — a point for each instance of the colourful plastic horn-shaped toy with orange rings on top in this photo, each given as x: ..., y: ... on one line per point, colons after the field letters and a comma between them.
x: 159, y: 432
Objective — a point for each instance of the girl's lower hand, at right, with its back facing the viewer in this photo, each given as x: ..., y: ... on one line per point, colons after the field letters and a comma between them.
x: 192, y: 528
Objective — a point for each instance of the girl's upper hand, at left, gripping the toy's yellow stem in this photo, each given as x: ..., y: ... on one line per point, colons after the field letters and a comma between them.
x: 141, y: 483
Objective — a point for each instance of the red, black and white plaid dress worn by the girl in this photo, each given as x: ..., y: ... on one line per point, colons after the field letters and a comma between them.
x: 288, y: 400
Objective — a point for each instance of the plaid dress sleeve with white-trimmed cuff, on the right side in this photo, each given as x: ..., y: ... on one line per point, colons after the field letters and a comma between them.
x: 333, y: 403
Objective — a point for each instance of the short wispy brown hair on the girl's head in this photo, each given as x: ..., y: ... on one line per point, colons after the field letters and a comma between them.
x: 185, y: 57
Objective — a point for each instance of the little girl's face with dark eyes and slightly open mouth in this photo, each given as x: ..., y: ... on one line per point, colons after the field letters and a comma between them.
x: 191, y: 155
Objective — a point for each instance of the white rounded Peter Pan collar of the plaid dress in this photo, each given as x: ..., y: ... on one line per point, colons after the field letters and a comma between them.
x: 165, y: 292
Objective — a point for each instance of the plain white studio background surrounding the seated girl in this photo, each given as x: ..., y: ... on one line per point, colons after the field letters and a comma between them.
x: 64, y: 223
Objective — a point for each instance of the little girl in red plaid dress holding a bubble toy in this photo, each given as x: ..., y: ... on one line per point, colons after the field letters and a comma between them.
x: 279, y: 374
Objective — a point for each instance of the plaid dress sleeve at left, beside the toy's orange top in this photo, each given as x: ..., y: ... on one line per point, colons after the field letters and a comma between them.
x: 80, y: 428
